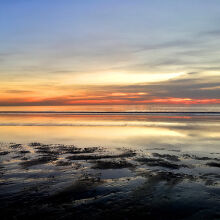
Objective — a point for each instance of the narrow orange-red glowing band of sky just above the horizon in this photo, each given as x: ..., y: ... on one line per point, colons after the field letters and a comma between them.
x: 125, y: 99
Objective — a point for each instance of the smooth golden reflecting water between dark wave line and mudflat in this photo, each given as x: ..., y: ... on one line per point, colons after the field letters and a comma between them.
x: 137, y: 131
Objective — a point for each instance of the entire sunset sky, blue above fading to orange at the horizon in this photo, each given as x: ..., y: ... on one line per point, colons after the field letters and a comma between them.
x: 75, y: 52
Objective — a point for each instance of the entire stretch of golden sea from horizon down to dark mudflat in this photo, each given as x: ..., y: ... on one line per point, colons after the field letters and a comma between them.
x: 187, y: 126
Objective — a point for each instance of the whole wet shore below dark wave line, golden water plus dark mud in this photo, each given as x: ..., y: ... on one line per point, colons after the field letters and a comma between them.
x: 64, y: 166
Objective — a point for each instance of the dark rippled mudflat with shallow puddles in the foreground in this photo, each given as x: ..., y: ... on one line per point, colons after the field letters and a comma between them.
x: 39, y: 181
